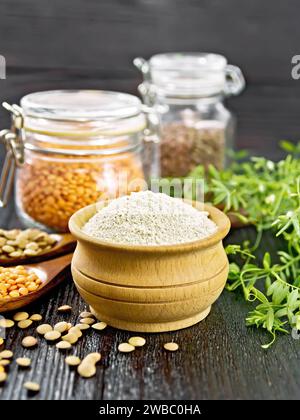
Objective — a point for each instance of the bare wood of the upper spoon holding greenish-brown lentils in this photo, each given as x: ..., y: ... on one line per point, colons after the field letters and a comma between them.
x: 64, y: 243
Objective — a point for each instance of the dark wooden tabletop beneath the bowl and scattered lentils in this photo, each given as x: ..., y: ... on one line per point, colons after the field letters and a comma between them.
x: 218, y: 359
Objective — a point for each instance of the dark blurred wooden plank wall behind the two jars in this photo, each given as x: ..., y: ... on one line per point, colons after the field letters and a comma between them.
x: 91, y: 44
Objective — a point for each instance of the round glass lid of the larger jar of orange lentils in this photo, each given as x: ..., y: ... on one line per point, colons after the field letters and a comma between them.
x: 82, y: 113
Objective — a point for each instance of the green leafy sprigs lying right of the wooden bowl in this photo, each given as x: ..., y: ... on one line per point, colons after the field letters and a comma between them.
x: 265, y: 194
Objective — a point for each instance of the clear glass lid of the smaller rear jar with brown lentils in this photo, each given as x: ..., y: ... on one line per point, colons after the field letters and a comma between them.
x: 191, y: 74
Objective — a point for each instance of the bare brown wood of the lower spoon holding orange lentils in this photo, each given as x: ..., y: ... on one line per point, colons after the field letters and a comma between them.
x: 48, y: 272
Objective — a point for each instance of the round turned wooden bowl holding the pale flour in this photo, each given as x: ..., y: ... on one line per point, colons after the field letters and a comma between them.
x: 149, y: 288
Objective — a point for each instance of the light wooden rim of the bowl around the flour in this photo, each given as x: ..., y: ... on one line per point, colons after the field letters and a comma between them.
x: 220, y: 218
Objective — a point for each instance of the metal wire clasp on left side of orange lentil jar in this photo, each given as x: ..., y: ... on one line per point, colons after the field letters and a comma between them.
x: 13, y: 141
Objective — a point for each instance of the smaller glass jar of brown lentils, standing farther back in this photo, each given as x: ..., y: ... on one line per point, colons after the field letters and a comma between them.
x: 196, y: 128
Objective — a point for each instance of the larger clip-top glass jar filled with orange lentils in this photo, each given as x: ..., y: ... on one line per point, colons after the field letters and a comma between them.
x: 79, y: 147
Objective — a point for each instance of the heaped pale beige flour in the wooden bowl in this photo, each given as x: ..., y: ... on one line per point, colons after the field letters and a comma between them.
x: 147, y: 218
